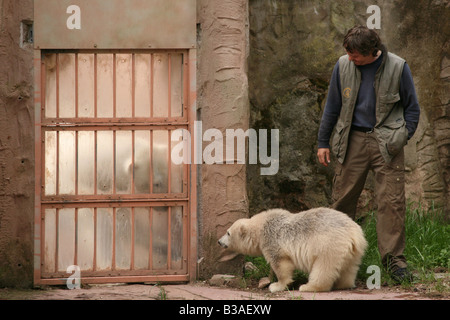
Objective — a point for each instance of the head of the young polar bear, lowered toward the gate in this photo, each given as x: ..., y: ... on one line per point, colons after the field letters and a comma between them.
x: 242, y: 238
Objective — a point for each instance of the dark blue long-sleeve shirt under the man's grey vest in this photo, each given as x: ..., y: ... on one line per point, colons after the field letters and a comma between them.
x: 364, y: 114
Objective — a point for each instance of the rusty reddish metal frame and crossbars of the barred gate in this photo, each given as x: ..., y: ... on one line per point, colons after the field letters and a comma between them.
x: 42, y: 202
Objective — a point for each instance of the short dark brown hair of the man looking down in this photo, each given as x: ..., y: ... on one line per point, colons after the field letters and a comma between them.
x: 363, y: 40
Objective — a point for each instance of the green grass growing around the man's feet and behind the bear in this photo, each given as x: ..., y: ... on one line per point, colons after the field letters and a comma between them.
x: 427, y: 249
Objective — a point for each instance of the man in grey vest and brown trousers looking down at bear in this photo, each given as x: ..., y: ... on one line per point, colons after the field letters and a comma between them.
x: 371, y: 113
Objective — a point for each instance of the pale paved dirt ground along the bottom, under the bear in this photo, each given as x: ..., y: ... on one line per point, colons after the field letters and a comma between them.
x: 204, y: 291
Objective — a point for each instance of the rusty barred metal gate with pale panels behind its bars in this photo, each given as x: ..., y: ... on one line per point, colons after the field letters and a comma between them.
x: 109, y: 199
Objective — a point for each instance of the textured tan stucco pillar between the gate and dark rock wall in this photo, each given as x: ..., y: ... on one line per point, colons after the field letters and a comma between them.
x: 222, y: 98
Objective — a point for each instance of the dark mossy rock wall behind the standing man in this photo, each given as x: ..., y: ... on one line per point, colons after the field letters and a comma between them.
x: 293, y: 48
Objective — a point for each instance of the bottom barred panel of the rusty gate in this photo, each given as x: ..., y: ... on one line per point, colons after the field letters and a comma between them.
x: 105, y: 241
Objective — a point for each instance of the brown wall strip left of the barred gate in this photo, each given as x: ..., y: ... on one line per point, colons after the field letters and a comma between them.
x: 16, y: 145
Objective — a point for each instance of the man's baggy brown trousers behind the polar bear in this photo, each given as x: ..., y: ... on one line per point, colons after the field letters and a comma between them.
x: 363, y: 154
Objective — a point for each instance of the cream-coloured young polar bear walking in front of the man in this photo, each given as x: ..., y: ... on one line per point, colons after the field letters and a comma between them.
x: 323, y: 242
